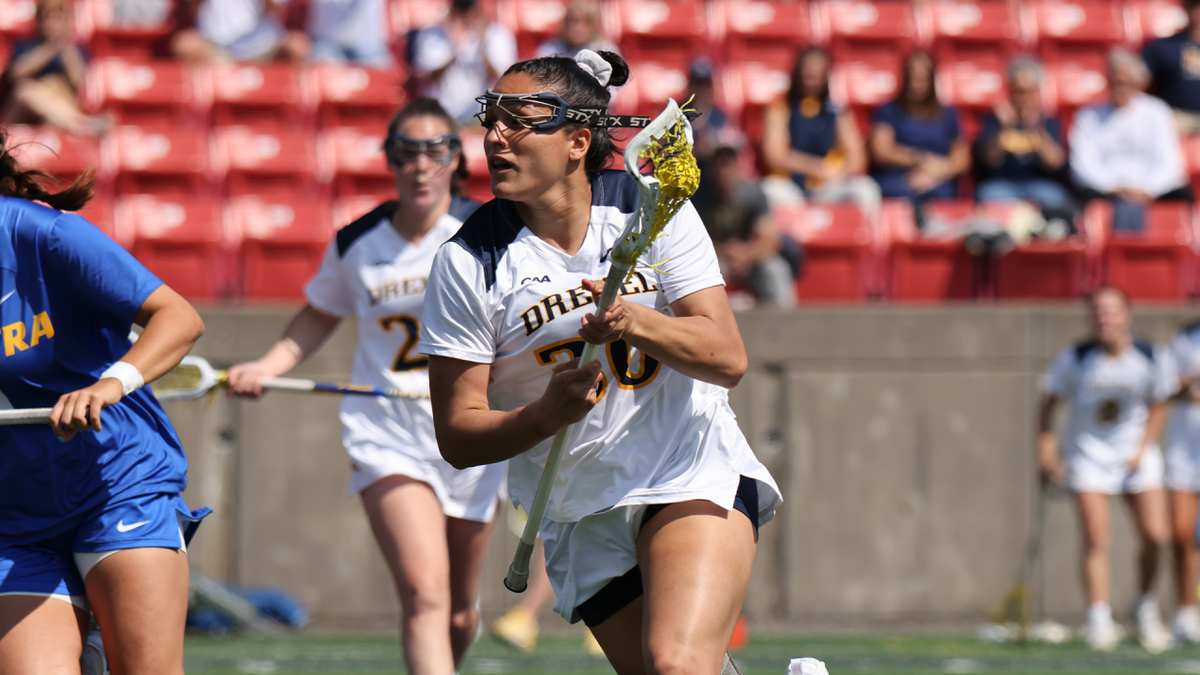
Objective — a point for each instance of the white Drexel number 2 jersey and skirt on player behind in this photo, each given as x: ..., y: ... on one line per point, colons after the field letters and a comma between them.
x: 374, y: 273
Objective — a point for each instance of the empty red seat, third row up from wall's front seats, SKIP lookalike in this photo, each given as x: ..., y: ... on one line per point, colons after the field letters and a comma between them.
x: 265, y: 158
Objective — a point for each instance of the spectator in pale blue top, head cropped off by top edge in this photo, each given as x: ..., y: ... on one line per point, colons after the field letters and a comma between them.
x: 350, y: 32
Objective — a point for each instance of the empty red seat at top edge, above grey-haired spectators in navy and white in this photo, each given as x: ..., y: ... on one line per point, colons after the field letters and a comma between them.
x: 1097, y: 22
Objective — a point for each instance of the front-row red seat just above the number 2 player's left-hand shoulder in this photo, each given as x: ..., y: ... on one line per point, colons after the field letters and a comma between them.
x: 283, y: 242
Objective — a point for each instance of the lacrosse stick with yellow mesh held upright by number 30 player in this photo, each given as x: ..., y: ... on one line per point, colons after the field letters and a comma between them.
x: 667, y: 146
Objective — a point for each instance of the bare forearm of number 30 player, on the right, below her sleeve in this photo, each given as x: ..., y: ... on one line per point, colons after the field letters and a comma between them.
x: 697, y: 347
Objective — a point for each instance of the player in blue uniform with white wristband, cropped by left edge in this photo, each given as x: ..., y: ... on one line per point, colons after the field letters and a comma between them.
x: 91, y: 512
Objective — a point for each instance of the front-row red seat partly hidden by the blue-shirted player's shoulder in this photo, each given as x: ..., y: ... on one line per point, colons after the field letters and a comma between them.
x: 181, y: 240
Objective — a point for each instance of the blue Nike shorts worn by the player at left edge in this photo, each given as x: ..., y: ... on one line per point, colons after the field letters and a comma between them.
x: 51, y: 568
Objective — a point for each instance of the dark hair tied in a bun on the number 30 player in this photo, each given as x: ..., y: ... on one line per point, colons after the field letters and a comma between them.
x: 563, y: 76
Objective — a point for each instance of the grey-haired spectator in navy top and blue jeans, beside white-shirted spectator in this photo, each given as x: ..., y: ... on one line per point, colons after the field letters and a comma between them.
x: 1021, y: 148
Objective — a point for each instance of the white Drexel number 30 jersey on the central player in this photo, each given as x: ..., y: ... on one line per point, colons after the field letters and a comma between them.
x: 499, y: 295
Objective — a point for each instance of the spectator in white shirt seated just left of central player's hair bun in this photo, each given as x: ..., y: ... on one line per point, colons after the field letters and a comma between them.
x: 459, y: 59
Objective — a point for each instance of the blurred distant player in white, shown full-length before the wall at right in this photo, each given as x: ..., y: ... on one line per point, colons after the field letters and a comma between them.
x: 1118, y: 389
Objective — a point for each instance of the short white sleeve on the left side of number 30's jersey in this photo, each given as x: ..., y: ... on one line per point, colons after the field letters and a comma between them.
x: 455, y: 321
